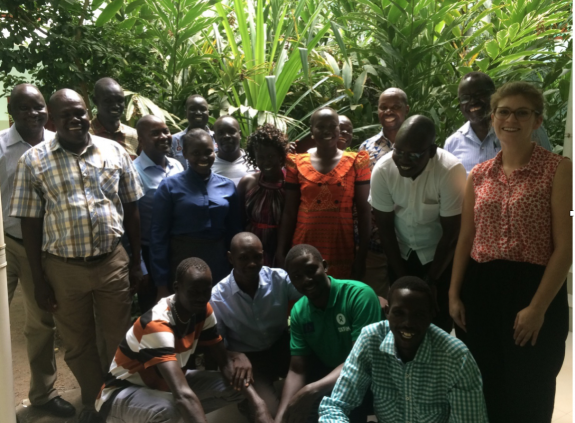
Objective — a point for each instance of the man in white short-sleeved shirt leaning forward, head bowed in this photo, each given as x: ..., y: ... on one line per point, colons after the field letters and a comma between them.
x: 417, y: 194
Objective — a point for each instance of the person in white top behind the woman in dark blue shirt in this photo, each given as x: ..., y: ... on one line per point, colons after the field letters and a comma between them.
x: 230, y: 159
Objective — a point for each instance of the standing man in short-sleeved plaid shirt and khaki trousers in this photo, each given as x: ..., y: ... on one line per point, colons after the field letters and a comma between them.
x: 74, y: 195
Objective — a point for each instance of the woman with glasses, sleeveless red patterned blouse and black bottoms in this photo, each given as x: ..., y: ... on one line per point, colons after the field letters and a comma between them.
x: 514, y: 251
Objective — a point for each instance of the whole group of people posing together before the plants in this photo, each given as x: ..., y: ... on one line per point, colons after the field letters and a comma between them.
x: 340, y: 272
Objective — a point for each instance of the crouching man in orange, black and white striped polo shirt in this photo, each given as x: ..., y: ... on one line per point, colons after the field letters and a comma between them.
x: 147, y: 380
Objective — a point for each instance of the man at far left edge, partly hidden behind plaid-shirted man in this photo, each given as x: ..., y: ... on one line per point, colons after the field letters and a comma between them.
x: 28, y: 109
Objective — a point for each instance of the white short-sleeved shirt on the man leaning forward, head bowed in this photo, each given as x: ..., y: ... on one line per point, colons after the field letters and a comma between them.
x: 418, y: 204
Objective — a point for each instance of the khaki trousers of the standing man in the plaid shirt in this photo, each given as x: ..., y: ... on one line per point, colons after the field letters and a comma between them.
x: 83, y: 291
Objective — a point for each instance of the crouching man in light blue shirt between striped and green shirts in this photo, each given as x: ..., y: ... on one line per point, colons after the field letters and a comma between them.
x: 252, y: 307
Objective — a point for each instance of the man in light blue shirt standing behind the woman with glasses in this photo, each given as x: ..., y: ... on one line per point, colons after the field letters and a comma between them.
x: 476, y: 142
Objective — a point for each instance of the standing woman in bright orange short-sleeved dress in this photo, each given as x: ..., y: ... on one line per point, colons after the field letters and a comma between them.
x: 321, y: 189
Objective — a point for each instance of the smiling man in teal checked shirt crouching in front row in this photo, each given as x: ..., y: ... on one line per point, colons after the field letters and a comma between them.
x: 417, y: 372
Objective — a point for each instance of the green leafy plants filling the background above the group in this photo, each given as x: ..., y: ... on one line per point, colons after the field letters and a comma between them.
x: 279, y: 60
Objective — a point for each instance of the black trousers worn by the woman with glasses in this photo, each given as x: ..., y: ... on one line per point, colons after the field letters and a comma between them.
x: 518, y: 382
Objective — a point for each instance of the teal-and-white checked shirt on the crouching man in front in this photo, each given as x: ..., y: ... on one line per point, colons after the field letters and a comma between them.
x: 441, y: 384
